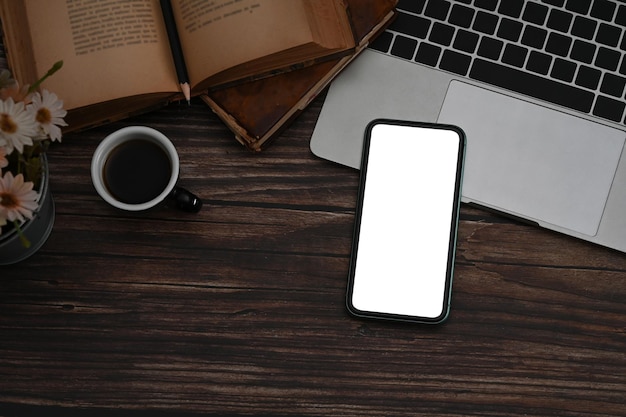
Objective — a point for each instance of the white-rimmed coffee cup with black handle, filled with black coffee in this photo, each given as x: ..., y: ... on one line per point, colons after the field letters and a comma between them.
x: 136, y: 168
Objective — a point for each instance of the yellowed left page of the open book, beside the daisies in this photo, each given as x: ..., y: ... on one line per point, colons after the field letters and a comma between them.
x: 110, y: 48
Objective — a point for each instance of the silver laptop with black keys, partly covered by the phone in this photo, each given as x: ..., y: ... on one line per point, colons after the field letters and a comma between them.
x: 537, y: 86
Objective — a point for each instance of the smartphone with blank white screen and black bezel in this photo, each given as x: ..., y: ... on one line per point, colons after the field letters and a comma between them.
x: 404, y: 240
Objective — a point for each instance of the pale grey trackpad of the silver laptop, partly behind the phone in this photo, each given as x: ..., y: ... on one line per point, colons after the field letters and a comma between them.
x: 532, y: 161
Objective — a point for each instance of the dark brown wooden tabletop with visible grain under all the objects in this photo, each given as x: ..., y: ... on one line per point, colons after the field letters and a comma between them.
x: 239, y: 310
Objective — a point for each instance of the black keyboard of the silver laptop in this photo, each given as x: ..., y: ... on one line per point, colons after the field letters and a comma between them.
x: 566, y: 52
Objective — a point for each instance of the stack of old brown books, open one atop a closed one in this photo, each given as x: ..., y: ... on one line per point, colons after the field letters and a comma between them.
x: 256, y: 63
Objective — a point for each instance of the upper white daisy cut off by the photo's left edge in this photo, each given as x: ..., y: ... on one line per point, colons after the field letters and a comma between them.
x: 17, y: 126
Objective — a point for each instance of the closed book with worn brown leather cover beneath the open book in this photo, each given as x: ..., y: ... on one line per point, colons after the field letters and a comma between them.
x: 257, y: 111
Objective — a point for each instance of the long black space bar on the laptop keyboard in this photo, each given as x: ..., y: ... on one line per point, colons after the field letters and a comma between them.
x: 532, y: 85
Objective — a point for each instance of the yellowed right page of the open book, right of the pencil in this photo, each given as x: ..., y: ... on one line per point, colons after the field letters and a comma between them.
x: 220, y: 34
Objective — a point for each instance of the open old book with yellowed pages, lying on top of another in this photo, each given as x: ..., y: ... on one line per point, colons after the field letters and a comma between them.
x: 117, y: 57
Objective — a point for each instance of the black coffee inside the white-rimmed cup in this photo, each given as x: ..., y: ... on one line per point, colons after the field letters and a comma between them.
x: 137, y: 171
